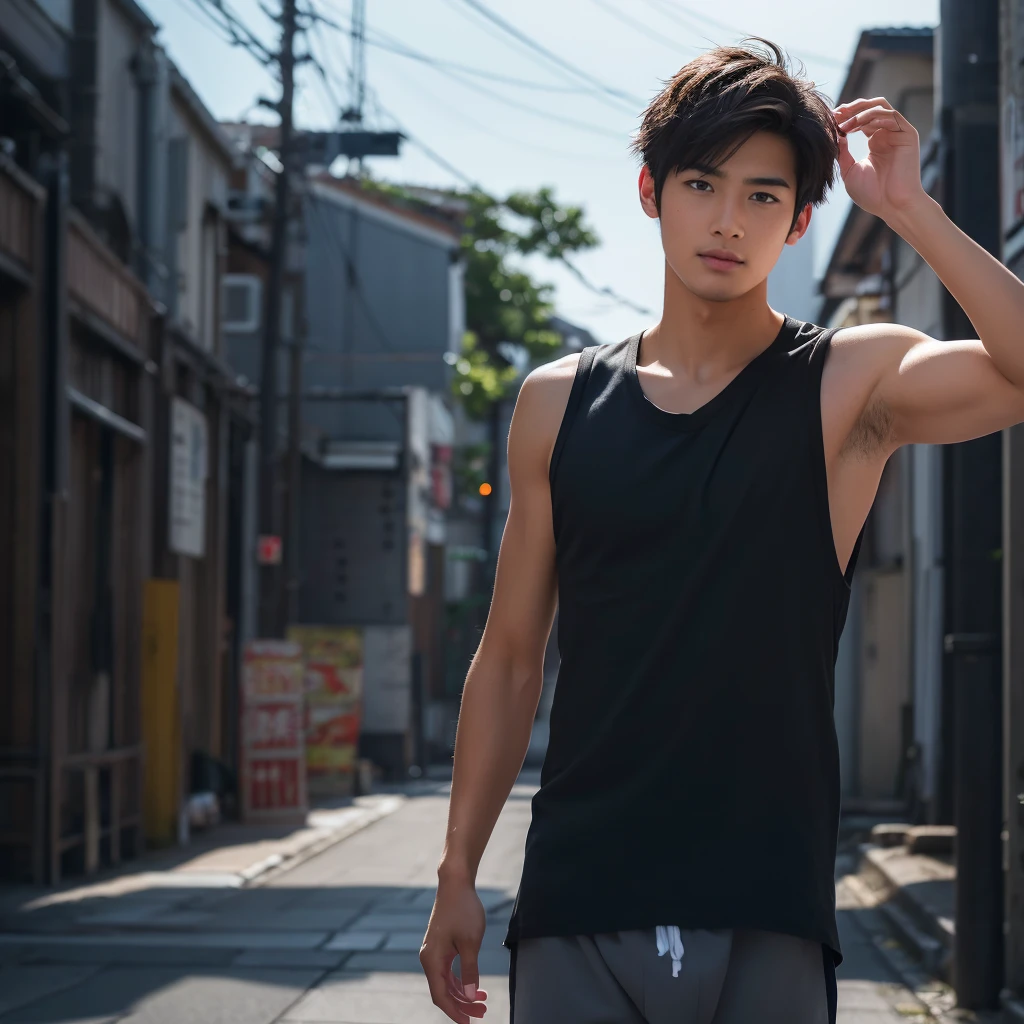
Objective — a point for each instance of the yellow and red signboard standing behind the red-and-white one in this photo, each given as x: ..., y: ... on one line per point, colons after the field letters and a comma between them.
x: 333, y: 657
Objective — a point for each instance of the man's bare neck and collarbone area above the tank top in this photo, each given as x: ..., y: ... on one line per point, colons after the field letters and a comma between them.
x: 701, y: 340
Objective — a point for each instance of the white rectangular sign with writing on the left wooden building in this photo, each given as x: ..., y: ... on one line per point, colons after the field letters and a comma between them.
x: 189, y: 461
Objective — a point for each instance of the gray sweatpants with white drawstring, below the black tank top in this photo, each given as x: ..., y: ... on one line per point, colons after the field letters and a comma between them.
x: 724, y: 977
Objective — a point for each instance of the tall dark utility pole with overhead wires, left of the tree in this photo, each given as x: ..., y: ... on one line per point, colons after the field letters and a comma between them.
x: 271, y: 605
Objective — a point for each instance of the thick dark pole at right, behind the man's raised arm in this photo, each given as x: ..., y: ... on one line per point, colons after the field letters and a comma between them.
x: 972, y: 520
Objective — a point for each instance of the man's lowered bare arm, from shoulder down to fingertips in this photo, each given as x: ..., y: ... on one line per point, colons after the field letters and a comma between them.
x: 502, y: 692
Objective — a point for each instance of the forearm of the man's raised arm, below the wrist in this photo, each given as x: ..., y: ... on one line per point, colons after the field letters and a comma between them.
x: 990, y: 294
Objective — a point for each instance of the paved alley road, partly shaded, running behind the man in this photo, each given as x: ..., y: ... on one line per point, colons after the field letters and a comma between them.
x: 333, y: 942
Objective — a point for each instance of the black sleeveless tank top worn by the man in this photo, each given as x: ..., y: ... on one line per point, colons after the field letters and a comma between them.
x: 692, y: 777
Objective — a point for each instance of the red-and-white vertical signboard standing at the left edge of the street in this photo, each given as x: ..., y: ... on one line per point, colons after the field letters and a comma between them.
x: 274, y: 777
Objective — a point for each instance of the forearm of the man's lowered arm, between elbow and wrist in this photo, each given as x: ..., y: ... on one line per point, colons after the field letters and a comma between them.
x: 498, y: 708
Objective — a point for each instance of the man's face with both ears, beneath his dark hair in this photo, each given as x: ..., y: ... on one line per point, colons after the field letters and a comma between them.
x: 745, y: 208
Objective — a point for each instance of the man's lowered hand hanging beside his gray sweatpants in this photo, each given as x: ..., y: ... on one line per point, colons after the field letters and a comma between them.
x: 456, y: 929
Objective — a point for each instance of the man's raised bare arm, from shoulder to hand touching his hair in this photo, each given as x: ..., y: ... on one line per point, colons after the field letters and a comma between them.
x: 914, y: 389
